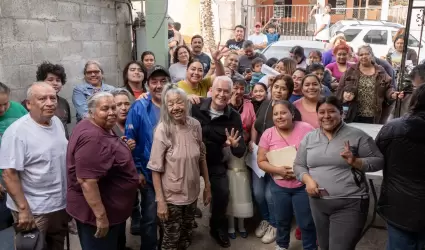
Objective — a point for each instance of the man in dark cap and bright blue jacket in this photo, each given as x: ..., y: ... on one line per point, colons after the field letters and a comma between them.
x: 141, y: 122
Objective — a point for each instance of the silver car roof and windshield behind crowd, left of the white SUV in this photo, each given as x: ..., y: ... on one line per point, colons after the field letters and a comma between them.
x: 280, y: 49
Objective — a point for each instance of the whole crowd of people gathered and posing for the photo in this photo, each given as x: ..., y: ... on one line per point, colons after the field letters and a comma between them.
x: 138, y: 151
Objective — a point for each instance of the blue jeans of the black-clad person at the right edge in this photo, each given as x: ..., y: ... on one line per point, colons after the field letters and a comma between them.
x: 398, y: 239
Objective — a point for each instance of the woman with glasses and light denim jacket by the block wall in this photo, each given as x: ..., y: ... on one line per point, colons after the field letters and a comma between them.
x: 93, y: 83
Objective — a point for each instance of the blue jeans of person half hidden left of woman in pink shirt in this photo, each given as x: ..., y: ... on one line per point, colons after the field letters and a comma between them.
x: 263, y: 197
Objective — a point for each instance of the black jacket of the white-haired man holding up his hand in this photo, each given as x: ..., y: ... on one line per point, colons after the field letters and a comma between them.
x: 214, y: 134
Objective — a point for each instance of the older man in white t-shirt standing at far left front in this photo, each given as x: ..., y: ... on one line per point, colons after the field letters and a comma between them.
x: 34, y: 164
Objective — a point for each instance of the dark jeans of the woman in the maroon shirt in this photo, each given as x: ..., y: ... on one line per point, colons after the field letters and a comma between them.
x: 89, y: 242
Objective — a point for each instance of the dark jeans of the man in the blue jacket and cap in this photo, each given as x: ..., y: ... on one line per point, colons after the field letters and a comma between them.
x: 148, y: 224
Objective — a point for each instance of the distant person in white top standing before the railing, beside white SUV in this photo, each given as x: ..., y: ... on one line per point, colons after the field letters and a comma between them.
x: 323, y: 22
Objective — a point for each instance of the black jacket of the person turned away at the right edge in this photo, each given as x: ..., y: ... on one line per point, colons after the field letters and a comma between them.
x: 402, y: 200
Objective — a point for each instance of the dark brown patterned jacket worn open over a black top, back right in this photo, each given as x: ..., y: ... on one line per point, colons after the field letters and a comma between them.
x: 382, y: 89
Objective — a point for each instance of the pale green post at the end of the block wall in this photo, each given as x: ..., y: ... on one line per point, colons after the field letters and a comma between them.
x: 157, y: 30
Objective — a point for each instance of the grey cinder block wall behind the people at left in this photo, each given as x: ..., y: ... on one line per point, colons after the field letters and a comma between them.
x: 69, y: 32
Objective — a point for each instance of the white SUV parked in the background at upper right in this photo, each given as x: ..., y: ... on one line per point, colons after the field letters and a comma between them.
x: 378, y: 34
